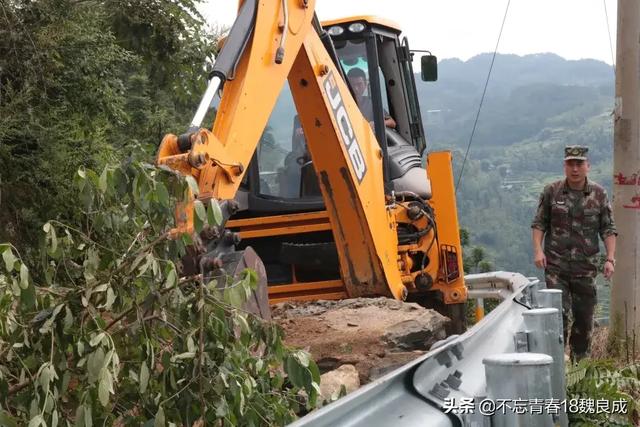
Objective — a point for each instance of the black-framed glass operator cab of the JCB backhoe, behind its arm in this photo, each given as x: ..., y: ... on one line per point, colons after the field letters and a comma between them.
x: 281, y: 177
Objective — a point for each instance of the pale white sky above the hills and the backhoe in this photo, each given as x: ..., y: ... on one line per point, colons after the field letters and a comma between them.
x: 573, y: 29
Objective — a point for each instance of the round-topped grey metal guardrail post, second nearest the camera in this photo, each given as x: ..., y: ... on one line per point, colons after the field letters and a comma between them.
x: 544, y: 335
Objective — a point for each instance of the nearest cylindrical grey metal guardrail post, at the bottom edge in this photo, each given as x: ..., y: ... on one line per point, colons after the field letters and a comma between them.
x: 522, y: 381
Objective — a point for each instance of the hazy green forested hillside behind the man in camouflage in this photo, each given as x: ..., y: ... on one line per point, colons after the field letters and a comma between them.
x: 535, y: 105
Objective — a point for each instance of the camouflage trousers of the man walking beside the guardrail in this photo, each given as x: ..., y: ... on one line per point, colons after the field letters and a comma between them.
x: 578, y: 304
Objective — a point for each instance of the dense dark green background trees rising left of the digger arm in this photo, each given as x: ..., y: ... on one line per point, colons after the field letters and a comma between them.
x: 83, y: 83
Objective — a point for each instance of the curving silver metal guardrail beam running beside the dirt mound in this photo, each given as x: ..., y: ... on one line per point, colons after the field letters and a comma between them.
x: 416, y: 393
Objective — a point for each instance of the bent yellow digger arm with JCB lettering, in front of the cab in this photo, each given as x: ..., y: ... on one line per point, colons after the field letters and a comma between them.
x: 272, y: 42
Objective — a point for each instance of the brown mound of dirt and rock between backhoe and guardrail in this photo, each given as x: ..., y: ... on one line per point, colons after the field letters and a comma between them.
x: 375, y: 335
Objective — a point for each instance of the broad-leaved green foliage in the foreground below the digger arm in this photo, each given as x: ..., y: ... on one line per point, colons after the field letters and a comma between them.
x: 111, y: 335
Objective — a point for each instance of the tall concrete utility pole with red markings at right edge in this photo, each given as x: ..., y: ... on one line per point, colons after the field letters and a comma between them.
x: 625, y: 292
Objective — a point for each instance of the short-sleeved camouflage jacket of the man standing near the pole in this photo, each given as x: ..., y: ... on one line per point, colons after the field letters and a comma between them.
x: 572, y: 221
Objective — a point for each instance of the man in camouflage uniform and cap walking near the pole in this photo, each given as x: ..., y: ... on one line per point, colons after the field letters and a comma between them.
x: 571, y: 214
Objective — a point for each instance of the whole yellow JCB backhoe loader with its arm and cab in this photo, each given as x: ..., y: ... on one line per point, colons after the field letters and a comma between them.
x: 317, y: 156
